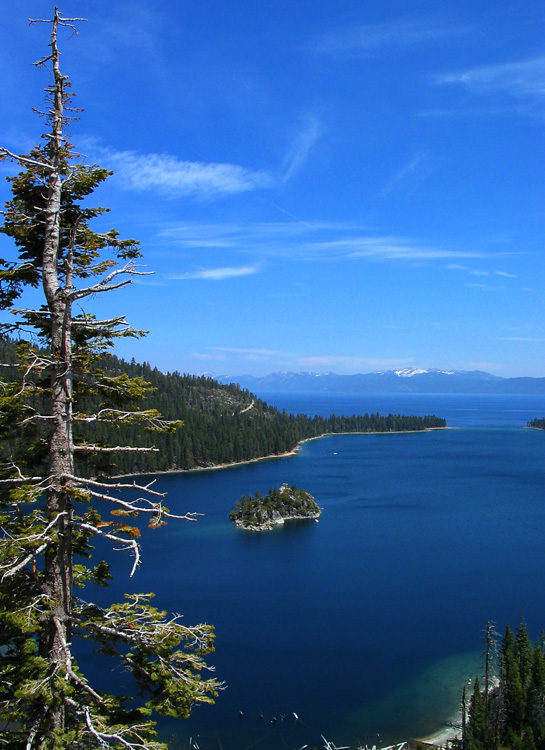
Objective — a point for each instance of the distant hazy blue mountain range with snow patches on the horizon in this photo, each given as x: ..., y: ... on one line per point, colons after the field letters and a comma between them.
x: 407, y: 380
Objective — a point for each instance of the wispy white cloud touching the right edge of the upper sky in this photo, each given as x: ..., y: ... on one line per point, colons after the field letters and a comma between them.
x: 524, y: 78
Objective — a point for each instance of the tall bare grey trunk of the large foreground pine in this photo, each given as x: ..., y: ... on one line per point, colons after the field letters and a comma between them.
x: 58, y: 575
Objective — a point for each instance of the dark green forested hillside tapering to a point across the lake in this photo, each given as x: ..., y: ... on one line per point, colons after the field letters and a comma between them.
x: 221, y: 423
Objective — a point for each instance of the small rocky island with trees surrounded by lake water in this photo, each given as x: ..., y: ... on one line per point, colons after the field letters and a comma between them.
x: 258, y: 513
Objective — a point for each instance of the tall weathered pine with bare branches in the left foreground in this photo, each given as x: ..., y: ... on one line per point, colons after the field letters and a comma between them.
x: 46, y: 518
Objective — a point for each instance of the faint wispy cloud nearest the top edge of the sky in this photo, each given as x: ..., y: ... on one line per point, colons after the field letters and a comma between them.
x: 369, y: 39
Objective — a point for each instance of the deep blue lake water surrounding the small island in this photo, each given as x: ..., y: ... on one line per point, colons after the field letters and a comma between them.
x: 366, y: 624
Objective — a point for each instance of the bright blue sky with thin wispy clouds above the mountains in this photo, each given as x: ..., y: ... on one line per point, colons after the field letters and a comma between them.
x: 317, y: 186
